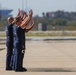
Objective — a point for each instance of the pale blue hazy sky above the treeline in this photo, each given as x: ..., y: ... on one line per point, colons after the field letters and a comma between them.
x: 38, y: 6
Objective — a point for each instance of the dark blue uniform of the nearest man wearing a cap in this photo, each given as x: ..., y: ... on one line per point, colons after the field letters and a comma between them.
x: 17, y: 53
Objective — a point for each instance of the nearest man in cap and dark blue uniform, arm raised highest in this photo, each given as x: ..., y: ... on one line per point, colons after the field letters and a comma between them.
x: 18, y: 46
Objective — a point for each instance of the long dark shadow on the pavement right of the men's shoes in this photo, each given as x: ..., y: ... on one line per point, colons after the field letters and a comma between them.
x: 51, y: 70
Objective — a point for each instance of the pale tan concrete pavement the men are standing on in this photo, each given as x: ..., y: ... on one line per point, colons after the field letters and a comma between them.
x: 45, y: 58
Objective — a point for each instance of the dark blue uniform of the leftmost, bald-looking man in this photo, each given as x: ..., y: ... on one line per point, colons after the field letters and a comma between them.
x: 9, y: 44
